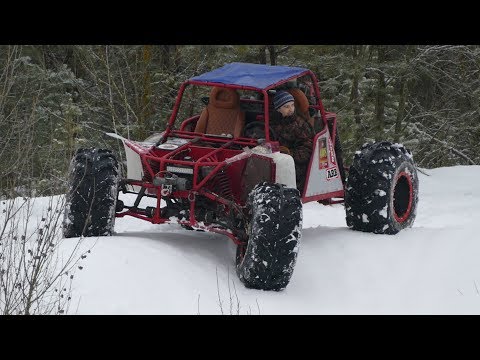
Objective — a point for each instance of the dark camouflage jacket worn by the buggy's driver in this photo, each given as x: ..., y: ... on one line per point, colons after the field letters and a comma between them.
x: 295, y: 133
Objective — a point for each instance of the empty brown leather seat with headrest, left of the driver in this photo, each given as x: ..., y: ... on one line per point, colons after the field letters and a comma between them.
x: 222, y: 114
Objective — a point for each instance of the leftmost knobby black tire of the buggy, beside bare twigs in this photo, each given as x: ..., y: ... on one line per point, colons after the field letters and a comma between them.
x: 92, y: 195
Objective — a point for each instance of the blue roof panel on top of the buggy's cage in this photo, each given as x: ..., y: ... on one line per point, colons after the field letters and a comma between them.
x: 254, y: 75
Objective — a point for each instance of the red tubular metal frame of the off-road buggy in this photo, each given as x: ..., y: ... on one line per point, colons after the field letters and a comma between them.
x: 198, y: 189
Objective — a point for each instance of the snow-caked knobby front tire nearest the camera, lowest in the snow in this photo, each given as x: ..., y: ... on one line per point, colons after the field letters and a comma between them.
x: 274, y: 233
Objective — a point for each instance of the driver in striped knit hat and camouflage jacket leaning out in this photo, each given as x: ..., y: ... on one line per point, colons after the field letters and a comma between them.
x: 294, y: 133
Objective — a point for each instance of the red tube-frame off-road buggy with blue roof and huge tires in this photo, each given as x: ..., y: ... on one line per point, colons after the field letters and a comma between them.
x: 217, y: 167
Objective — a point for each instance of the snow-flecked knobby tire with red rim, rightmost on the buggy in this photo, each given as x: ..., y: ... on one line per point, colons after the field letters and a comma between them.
x: 382, y: 189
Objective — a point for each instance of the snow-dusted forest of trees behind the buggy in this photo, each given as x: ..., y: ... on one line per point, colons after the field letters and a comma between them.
x: 55, y: 99
